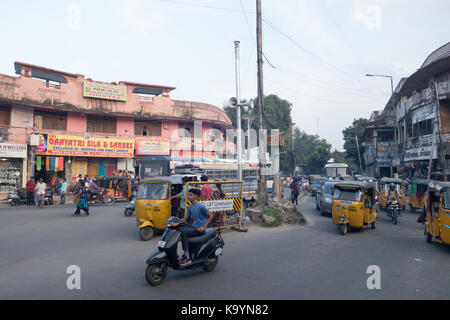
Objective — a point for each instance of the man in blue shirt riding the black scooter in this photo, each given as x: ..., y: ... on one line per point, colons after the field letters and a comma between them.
x: 202, y: 218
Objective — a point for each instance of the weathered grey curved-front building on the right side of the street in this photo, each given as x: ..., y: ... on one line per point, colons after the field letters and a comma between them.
x: 421, y: 120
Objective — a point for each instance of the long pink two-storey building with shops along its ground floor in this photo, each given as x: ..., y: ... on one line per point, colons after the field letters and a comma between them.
x: 72, y: 125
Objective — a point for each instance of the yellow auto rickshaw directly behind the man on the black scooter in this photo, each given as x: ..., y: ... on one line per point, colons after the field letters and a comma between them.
x: 154, y: 204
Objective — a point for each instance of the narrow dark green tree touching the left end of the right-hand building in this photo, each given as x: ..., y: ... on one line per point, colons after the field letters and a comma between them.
x: 355, y: 130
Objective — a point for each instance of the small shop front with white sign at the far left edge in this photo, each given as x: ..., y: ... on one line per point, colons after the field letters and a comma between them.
x: 13, y: 164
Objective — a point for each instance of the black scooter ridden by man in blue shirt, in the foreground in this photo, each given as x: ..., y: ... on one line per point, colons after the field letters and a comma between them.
x: 204, y: 252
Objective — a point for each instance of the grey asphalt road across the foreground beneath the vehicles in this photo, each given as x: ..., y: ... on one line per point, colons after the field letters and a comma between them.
x: 312, y: 261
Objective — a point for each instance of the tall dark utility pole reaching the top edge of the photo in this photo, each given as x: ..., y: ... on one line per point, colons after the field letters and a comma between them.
x: 262, y: 185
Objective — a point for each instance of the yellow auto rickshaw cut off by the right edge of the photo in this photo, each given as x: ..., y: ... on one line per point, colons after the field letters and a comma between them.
x: 438, y: 212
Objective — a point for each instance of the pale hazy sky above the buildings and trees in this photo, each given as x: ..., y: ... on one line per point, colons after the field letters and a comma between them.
x: 317, y: 52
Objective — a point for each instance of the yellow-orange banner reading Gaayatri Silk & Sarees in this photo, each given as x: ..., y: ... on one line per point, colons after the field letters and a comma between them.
x: 58, y: 145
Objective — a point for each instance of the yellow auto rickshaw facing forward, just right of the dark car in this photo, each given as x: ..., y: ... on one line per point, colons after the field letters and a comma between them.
x: 354, y: 205
